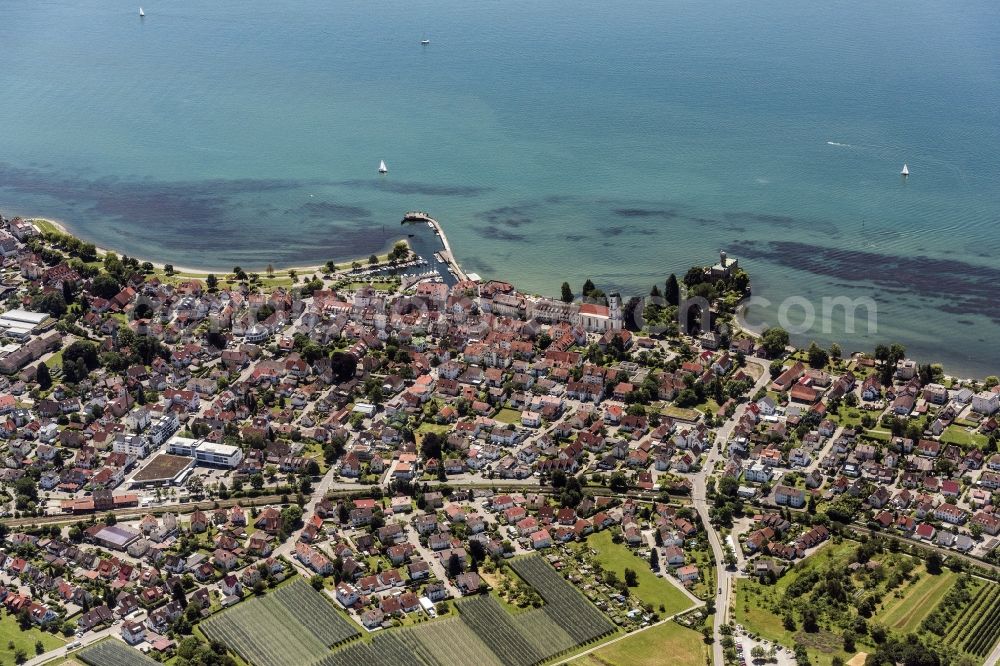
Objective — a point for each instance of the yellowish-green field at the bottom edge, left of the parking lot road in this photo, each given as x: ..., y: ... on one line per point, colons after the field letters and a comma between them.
x: 647, y: 648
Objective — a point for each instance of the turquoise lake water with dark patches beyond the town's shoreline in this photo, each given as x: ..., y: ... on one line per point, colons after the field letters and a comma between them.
x: 553, y: 140
